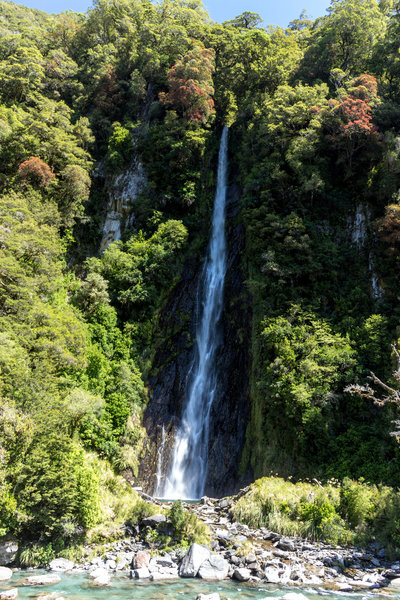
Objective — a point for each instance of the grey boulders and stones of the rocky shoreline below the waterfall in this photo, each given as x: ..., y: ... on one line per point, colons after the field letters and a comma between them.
x: 236, y: 551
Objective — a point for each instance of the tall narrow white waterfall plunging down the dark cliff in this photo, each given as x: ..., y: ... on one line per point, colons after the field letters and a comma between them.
x: 188, y: 469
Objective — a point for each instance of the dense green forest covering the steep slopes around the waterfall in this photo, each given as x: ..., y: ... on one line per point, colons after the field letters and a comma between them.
x: 314, y: 118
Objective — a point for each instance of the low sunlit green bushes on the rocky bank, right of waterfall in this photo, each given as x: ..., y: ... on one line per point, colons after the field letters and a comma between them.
x: 352, y: 512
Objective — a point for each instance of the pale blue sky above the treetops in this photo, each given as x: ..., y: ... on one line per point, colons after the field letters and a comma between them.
x: 274, y: 12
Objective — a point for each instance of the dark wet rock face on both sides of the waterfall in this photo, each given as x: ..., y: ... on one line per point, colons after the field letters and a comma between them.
x: 231, y: 410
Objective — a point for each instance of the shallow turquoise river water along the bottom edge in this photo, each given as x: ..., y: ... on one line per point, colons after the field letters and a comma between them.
x: 79, y: 587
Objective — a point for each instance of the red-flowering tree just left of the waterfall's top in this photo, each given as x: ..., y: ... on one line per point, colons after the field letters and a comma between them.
x: 190, y: 85
